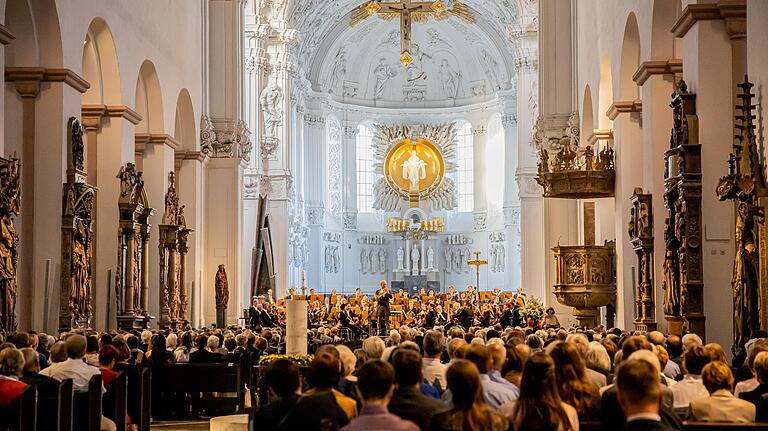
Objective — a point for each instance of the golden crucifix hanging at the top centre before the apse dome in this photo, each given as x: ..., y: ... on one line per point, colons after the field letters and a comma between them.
x: 408, y: 11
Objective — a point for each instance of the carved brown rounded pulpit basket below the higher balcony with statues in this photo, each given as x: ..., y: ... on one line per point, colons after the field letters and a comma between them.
x: 586, y: 280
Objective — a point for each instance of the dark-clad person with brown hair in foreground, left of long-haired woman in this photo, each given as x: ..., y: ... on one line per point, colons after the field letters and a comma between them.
x: 469, y: 411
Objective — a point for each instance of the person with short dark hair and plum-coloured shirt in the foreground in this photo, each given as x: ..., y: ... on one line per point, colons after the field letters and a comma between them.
x: 377, y: 384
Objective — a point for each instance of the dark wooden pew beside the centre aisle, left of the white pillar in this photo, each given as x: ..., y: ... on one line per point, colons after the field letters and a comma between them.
x: 196, y: 379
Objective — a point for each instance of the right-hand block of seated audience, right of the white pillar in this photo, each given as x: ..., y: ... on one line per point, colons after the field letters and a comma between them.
x: 516, y: 379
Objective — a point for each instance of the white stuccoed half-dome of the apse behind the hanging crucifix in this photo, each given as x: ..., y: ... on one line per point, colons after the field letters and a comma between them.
x: 463, y: 63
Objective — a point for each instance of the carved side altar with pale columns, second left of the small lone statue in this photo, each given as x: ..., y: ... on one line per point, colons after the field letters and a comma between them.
x: 132, y: 275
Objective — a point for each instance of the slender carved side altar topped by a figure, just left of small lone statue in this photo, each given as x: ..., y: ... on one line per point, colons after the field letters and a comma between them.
x: 173, y: 250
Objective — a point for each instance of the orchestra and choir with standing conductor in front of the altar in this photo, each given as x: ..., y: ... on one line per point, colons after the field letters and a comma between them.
x: 388, y: 310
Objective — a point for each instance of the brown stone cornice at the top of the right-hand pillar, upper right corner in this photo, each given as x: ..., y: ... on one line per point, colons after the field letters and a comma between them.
x: 729, y: 10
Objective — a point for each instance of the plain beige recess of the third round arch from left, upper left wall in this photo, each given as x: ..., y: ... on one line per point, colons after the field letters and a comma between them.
x: 149, y: 100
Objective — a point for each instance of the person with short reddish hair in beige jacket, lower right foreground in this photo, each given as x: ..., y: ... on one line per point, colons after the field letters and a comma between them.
x: 720, y: 405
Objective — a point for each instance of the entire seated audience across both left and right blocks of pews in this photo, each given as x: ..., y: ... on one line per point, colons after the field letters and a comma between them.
x: 482, y: 378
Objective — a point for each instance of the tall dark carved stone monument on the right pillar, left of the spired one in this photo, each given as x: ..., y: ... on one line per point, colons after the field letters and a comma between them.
x: 682, y: 270
